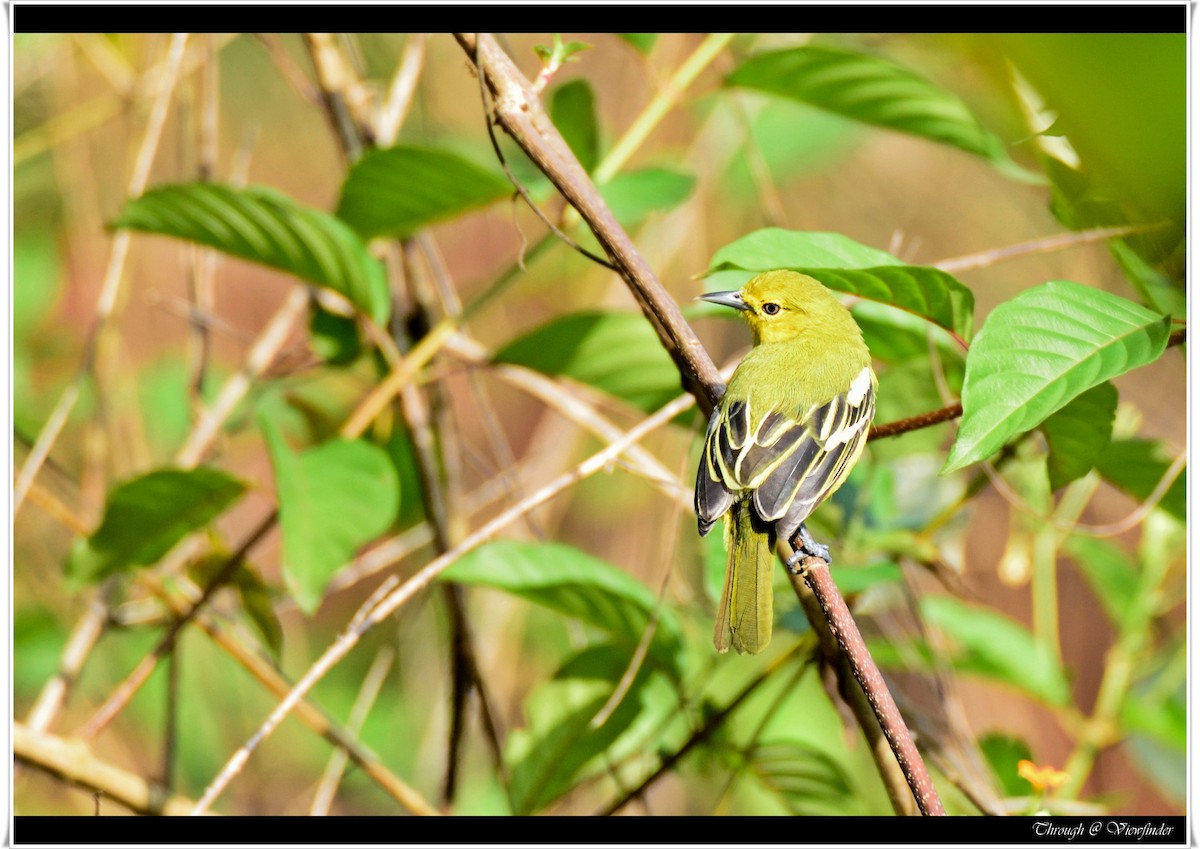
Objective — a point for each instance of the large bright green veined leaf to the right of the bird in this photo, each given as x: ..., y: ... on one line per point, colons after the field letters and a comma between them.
x: 1042, y: 350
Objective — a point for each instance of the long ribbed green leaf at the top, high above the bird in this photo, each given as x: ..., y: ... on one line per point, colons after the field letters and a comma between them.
x: 874, y: 92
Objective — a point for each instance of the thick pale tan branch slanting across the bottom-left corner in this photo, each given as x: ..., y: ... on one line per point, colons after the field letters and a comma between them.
x: 74, y: 762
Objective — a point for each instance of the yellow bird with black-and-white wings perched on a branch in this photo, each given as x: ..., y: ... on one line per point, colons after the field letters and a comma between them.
x: 793, y: 423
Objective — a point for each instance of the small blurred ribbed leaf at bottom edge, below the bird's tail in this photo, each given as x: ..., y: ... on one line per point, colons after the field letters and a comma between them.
x: 801, y: 776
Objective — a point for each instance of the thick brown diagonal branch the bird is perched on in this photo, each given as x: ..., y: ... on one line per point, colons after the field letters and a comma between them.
x: 520, y: 113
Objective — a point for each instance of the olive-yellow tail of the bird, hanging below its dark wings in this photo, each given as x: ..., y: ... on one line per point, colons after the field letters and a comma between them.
x: 745, y: 618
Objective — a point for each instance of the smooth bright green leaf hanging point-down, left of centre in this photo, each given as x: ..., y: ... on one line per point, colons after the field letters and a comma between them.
x: 333, y: 501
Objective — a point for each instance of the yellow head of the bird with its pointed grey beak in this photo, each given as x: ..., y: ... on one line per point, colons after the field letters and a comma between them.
x: 781, y: 306
